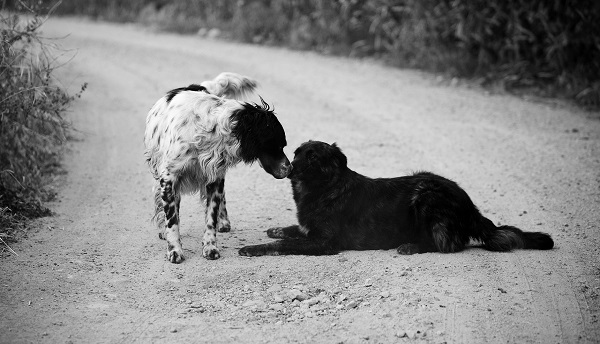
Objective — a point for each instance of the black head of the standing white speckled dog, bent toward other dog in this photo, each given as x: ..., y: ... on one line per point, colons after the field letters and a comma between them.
x: 261, y: 138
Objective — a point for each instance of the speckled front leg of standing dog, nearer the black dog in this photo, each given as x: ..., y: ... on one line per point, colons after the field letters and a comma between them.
x: 213, y: 203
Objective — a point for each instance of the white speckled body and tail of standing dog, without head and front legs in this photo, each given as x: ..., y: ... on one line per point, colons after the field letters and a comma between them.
x: 189, y: 137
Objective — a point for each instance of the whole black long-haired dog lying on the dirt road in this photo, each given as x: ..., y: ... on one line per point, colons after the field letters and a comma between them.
x: 339, y: 209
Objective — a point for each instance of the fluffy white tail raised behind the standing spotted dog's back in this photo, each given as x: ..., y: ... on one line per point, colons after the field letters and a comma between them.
x: 231, y: 85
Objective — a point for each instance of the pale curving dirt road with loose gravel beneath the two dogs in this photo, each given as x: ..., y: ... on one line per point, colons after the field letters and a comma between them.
x: 97, y: 272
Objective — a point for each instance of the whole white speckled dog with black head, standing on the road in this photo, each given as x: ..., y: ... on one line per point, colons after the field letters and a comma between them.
x: 193, y: 135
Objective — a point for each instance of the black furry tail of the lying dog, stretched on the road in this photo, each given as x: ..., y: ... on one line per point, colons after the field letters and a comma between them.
x: 506, y: 238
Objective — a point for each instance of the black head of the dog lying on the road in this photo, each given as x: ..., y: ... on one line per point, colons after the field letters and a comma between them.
x: 317, y: 161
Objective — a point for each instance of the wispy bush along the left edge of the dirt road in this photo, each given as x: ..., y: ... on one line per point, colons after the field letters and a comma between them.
x: 33, y: 127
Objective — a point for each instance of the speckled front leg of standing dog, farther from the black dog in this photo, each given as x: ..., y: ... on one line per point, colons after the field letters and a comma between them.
x: 170, y: 201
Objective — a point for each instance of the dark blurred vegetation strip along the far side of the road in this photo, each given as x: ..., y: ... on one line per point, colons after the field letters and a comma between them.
x: 548, y: 48
